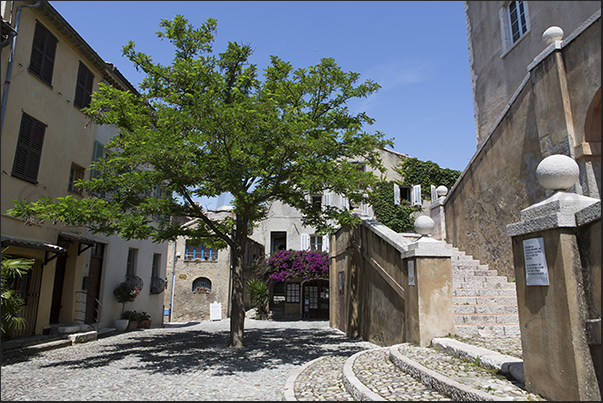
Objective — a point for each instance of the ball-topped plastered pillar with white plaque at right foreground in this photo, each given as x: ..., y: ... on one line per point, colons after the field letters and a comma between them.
x: 550, y: 294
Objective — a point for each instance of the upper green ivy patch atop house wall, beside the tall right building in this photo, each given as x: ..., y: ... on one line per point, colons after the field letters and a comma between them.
x: 425, y: 173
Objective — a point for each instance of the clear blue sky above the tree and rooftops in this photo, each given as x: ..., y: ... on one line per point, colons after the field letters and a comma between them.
x: 416, y: 51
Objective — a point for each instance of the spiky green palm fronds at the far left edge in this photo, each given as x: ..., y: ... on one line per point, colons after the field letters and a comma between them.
x: 12, y: 301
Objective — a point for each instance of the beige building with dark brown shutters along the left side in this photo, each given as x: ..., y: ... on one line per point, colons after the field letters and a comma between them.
x: 49, y: 73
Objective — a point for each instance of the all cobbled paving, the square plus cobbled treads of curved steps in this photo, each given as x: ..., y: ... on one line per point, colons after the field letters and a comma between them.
x: 191, y: 362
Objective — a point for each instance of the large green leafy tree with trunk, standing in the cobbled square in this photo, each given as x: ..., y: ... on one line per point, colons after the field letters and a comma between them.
x: 209, y: 124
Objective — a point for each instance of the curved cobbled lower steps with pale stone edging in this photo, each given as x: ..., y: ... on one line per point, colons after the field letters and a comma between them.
x: 405, y: 372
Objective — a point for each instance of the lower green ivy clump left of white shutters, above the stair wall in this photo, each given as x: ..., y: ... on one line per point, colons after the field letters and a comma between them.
x: 397, y: 217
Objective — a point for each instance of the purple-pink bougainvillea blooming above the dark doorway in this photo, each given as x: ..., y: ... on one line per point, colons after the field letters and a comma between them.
x: 288, y: 264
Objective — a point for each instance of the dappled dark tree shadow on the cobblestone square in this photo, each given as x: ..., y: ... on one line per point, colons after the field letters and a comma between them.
x: 194, y: 350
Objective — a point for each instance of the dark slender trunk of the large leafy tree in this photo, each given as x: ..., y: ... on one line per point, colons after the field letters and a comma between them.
x: 237, y: 313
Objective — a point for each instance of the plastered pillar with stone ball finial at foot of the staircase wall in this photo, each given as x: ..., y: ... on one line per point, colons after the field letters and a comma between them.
x: 426, y: 264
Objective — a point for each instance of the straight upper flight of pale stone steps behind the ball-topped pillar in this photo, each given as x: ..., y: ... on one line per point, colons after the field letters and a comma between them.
x: 485, y: 304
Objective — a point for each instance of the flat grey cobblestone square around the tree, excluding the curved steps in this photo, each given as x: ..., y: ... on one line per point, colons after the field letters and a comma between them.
x: 189, y: 362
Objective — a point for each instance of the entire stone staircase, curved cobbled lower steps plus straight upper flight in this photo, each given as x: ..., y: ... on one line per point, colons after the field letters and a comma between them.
x: 485, y: 315
